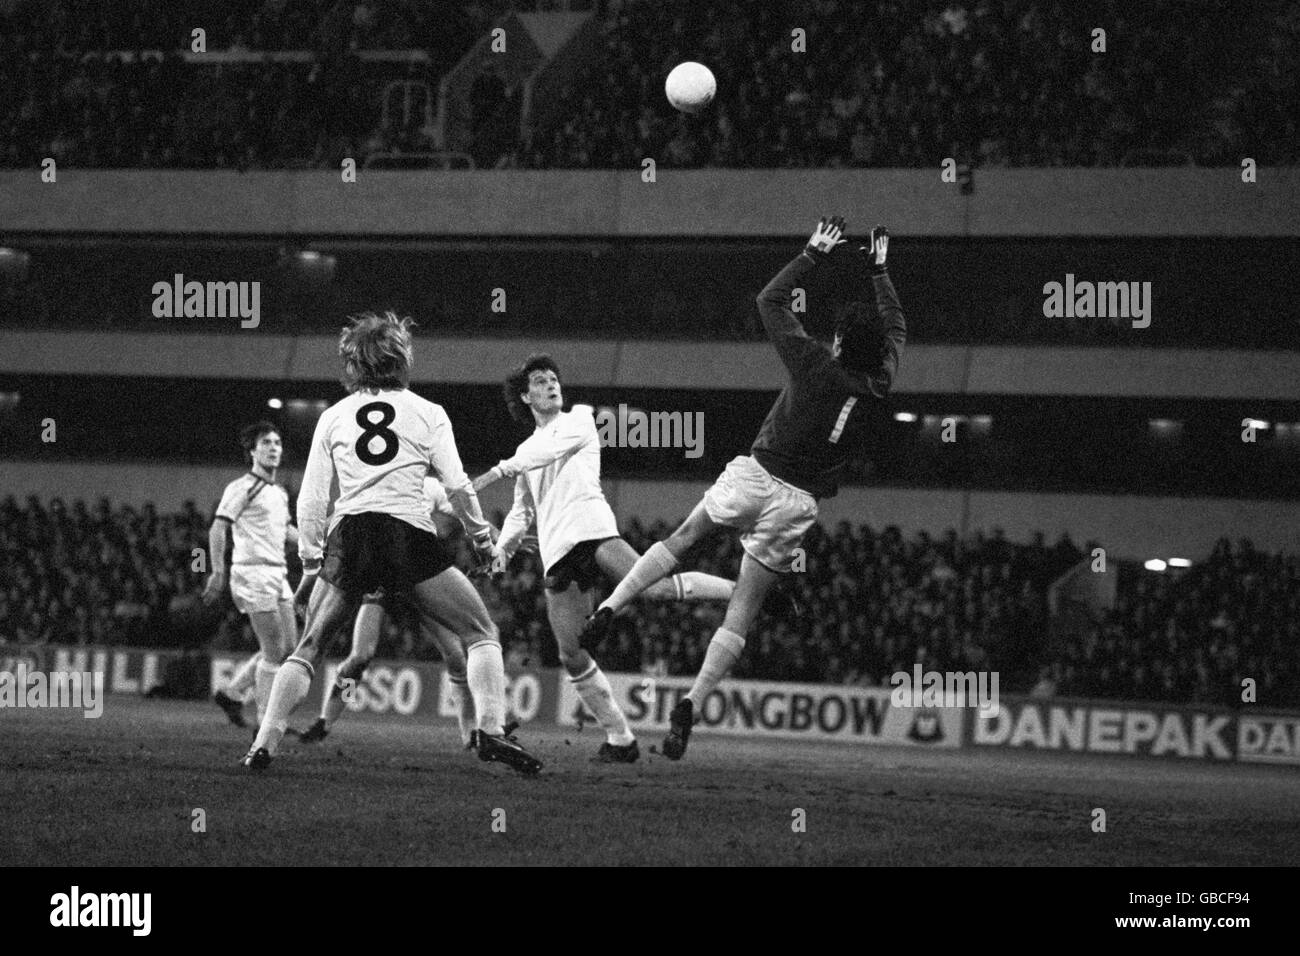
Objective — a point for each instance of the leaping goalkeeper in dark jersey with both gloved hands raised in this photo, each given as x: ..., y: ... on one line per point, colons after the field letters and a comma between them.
x: 817, y: 425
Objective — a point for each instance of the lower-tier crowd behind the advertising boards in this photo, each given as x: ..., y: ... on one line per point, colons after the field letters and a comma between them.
x: 877, y: 603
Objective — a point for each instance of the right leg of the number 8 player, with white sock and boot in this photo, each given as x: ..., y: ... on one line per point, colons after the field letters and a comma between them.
x: 450, y: 600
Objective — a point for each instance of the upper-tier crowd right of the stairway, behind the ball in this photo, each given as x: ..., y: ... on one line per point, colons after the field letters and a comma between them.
x: 900, y: 84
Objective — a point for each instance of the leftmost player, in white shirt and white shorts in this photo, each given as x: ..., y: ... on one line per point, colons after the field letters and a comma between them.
x: 257, y: 512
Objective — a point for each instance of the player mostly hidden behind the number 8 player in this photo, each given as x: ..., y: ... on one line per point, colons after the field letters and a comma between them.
x: 366, y: 638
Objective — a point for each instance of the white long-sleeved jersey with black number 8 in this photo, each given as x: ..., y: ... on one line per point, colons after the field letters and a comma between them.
x: 380, y: 447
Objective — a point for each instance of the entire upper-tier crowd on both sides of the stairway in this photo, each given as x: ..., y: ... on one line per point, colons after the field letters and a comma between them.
x: 891, y: 84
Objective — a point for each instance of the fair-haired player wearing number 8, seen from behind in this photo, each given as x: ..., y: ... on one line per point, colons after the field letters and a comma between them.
x: 376, y: 448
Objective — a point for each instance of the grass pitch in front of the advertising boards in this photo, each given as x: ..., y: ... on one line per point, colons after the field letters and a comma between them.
x: 124, y: 790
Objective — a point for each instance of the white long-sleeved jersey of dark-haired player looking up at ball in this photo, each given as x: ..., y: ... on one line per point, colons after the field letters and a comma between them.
x: 558, y: 482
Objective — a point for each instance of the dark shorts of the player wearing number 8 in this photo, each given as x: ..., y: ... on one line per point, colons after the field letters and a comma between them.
x: 374, y: 551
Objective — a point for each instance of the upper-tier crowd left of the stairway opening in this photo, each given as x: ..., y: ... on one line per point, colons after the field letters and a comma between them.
x: 96, y: 92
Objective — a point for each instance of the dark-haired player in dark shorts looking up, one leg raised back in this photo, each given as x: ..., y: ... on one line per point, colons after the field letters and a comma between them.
x: 557, y: 477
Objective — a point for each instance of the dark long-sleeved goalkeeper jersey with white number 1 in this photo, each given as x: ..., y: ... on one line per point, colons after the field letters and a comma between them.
x: 820, y: 421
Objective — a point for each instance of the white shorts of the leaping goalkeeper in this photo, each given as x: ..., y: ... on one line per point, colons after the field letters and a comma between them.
x: 772, y: 516
